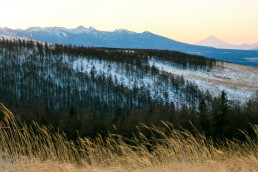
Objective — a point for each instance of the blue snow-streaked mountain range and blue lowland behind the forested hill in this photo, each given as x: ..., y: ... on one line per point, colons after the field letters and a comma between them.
x: 123, y: 38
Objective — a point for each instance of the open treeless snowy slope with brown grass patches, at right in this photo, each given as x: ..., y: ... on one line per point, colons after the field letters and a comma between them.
x: 240, y: 82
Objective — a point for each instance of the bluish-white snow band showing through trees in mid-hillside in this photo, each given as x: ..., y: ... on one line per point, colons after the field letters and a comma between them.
x: 118, y: 73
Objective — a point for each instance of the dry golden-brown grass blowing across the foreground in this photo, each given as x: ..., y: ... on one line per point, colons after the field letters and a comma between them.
x: 38, y: 148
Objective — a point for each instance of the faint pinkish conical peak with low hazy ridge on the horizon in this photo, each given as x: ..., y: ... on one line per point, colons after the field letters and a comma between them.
x: 217, y: 43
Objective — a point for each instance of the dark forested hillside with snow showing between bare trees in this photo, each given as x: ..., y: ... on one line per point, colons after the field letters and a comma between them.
x: 88, y: 90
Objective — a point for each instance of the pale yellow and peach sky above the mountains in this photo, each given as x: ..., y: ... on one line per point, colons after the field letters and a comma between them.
x: 234, y: 21
